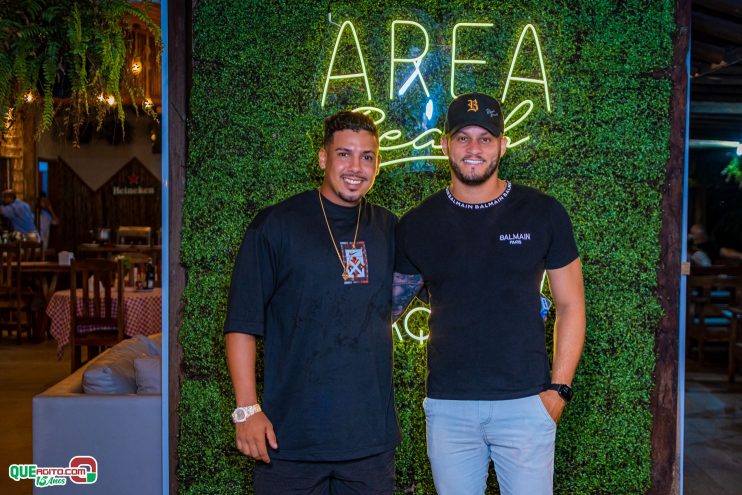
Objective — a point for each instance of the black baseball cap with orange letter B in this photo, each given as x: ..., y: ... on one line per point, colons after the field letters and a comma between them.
x: 475, y: 109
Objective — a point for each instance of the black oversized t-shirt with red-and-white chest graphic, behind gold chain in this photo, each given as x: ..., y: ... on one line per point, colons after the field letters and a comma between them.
x: 327, y: 343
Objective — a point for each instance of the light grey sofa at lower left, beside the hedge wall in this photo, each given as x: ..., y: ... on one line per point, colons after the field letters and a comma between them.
x: 122, y: 432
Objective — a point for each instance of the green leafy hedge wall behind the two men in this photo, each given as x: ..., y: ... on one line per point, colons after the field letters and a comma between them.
x: 259, y: 69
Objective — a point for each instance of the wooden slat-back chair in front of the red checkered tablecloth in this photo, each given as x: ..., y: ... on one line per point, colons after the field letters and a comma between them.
x: 102, y: 284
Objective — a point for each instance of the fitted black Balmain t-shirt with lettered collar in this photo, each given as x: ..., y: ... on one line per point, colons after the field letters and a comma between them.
x: 483, y: 266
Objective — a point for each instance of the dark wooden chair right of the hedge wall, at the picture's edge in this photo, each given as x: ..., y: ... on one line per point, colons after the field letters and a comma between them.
x: 708, y: 298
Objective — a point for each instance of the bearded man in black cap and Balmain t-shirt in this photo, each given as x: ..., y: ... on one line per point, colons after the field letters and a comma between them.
x: 480, y: 247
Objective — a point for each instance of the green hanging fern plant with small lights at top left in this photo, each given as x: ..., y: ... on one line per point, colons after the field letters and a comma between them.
x: 68, y: 57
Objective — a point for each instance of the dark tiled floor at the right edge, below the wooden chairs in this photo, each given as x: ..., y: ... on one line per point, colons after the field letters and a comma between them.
x: 713, y: 432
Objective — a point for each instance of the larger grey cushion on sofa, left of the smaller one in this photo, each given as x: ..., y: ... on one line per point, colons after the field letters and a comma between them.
x: 113, y: 372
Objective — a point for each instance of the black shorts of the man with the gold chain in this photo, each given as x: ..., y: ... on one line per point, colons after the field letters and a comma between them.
x: 373, y: 475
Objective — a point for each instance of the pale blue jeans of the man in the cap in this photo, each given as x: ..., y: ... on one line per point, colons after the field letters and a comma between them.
x: 518, y: 435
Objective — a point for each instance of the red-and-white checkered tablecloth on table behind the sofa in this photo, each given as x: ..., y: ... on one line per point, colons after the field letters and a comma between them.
x: 142, y: 314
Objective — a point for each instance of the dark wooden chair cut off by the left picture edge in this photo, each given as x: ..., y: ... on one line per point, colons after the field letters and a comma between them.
x: 14, y: 300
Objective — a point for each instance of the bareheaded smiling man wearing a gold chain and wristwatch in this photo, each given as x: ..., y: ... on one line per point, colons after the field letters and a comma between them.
x: 313, y: 280
